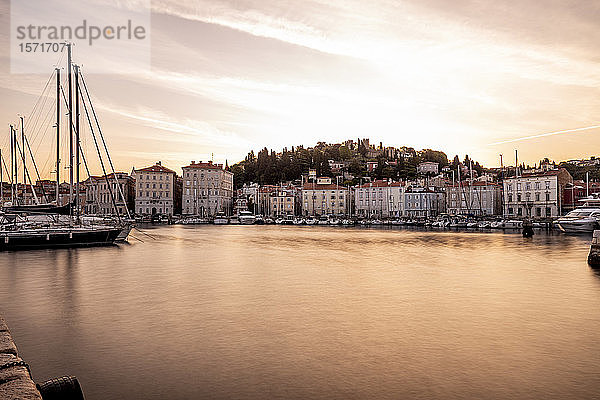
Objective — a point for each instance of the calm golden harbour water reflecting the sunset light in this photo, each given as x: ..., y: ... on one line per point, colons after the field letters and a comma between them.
x: 243, y: 312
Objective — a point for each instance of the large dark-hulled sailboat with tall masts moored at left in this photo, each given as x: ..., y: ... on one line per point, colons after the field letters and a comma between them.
x: 50, y: 225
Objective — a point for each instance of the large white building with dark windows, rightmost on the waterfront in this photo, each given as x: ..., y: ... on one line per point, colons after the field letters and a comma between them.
x: 536, y: 195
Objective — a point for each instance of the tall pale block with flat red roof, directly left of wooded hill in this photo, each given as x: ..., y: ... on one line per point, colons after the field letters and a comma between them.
x: 207, y: 189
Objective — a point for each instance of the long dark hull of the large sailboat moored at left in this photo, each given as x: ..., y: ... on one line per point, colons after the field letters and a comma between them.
x: 46, y: 239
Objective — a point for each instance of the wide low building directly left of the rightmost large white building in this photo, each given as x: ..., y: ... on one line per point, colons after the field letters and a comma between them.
x: 478, y: 198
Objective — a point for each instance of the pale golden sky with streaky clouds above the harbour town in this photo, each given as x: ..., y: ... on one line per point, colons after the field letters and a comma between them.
x: 473, y: 77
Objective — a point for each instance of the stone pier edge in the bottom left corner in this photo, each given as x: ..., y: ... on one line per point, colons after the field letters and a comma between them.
x: 15, y: 379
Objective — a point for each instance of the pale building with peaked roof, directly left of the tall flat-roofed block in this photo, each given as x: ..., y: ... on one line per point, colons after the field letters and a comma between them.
x: 155, y: 187
